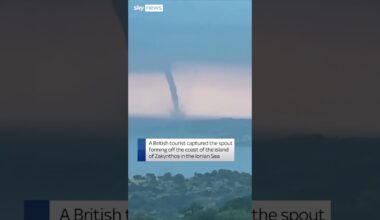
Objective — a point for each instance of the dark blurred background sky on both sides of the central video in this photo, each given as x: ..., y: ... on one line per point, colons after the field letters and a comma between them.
x: 315, y: 66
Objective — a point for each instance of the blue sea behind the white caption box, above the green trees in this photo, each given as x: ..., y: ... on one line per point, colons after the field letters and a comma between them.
x: 240, y: 129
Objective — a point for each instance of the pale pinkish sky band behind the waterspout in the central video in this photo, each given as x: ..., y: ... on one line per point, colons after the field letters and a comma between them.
x: 204, y: 90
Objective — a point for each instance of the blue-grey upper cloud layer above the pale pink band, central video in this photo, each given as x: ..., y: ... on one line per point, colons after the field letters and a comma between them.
x: 190, y: 31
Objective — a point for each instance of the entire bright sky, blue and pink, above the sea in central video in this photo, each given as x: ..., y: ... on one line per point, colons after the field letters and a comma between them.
x: 205, y: 45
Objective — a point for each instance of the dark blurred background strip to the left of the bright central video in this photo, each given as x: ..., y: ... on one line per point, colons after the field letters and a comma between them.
x: 62, y: 103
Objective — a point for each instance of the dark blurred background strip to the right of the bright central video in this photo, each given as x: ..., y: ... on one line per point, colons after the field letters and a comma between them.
x: 316, y: 104
